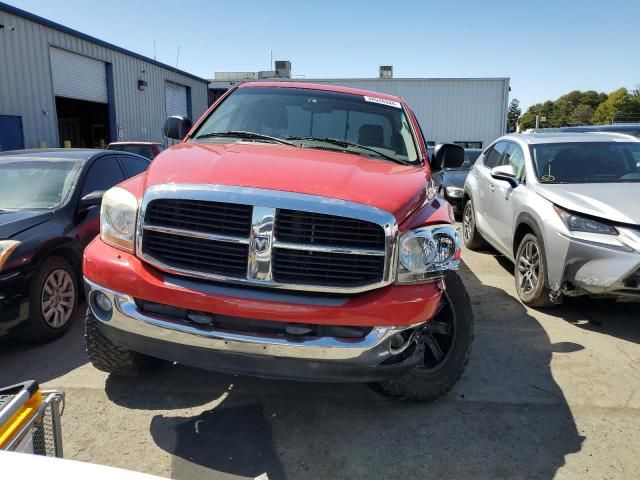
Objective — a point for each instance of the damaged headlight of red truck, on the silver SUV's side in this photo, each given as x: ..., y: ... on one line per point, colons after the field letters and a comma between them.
x: 426, y: 252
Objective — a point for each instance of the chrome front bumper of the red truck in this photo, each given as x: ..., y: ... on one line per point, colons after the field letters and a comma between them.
x: 365, y: 359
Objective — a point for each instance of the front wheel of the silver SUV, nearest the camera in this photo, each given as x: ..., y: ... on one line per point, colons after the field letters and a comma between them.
x: 531, y: 273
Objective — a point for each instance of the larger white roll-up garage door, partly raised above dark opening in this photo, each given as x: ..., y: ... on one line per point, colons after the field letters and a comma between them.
x: 79, y: 77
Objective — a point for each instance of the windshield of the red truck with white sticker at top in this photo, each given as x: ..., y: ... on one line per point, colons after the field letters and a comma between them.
x: 314, y: 119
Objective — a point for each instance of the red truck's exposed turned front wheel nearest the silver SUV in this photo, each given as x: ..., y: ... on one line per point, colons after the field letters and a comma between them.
x: 446, y: 341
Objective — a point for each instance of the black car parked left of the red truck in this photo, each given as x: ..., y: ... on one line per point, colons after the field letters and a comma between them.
x: 49, y: 211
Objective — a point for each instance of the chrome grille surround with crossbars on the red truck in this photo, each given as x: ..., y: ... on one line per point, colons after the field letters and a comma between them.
x: 271, y: 200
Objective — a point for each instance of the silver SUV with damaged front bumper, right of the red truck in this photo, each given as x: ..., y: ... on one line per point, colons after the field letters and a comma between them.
x: 565, y: 208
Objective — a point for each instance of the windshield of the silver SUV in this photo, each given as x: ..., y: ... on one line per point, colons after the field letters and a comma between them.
x: 587, y: 162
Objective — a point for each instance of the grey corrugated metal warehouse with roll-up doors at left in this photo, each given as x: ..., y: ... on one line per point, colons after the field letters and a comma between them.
x: 60, y: 87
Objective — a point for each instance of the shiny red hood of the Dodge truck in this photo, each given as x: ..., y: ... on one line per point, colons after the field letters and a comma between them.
x: 398, y: 189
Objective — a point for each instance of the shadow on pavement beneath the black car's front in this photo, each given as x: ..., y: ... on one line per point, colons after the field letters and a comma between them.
x: 21, y: 361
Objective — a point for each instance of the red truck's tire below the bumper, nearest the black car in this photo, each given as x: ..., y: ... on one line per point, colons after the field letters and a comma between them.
x: 111, y: 358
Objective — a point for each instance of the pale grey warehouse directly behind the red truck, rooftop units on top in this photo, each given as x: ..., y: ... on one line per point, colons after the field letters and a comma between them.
x: 469, y: 111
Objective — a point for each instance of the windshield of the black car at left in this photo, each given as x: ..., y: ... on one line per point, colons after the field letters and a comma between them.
x: 35, y: 184
